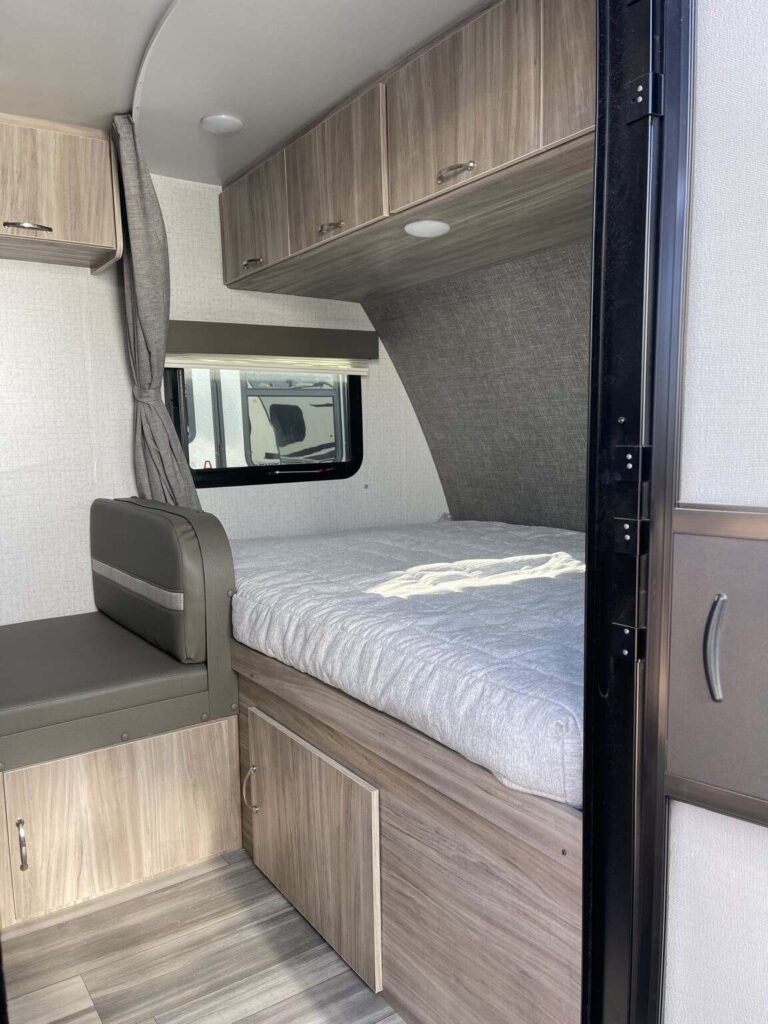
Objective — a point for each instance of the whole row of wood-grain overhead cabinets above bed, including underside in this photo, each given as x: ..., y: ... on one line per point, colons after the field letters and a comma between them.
x: 488, y: 129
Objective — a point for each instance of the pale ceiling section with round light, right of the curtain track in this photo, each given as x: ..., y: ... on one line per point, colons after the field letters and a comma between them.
x: 275, y: 64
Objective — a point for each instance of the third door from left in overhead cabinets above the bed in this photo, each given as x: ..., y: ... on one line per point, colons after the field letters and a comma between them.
x: 467, y: 106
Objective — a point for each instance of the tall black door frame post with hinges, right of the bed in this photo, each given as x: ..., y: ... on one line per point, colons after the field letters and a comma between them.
x: 628, y: 148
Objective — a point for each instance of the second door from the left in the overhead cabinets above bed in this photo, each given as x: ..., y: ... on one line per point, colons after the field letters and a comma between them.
x: 336, y: 174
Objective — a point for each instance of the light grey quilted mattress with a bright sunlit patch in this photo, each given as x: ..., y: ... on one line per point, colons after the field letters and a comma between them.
x: 471, y: 632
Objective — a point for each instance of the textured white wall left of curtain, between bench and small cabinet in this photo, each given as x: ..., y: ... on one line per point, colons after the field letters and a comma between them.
x: 66, y: 428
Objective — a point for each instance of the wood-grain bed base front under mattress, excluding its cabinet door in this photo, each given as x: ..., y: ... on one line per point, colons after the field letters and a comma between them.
x: 481, y: 885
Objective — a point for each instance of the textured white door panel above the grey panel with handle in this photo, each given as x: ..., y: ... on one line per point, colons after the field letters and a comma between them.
x: 726, y: 414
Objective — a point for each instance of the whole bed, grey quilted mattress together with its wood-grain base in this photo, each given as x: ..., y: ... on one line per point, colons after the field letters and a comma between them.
x: 441, y: 667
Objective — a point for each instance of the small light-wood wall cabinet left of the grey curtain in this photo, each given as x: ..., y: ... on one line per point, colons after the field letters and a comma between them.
x: 59, y: 195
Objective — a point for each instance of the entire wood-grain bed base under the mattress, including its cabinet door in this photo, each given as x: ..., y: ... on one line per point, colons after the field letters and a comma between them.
x: 480, y: 884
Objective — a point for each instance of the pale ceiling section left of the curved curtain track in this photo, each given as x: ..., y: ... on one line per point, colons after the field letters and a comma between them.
x: 73, y: 61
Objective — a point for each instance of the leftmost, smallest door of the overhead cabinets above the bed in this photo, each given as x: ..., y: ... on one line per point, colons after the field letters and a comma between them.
x: 254, y: 220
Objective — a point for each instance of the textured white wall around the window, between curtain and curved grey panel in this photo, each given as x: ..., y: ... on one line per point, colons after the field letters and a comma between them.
x: 398, y: 484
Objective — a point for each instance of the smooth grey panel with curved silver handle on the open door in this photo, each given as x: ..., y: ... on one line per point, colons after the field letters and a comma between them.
x: 720, y: 743
